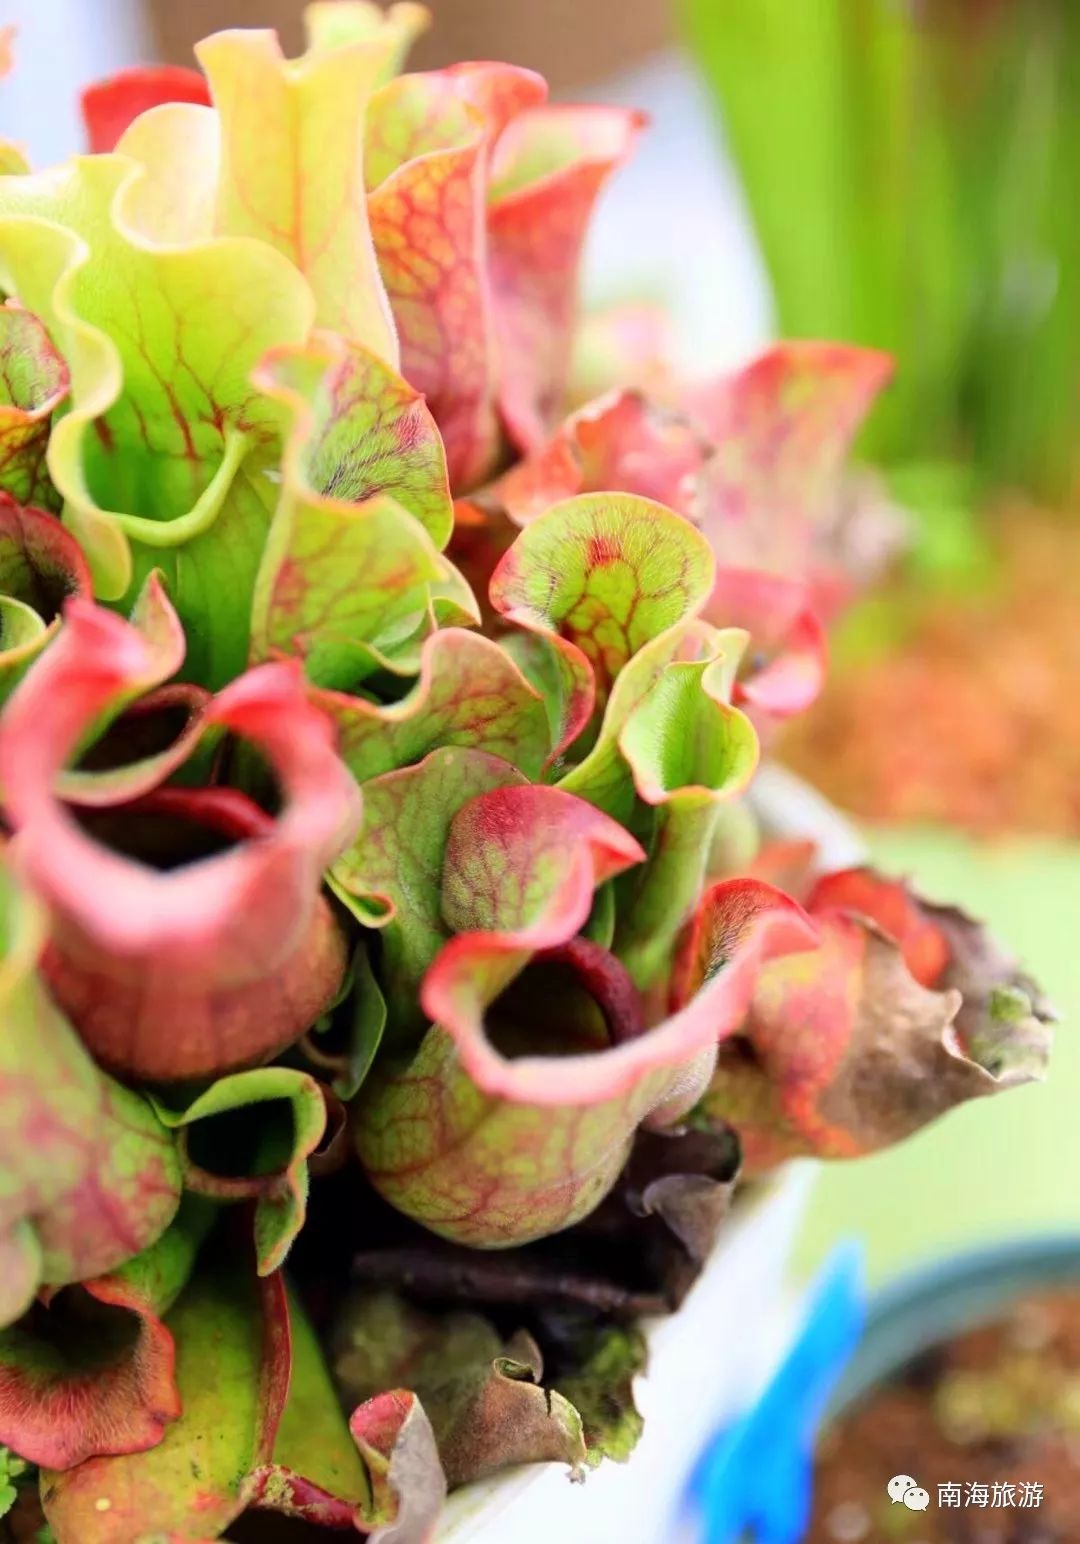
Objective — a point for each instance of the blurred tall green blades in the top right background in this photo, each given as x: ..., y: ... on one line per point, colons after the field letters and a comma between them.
x: 911, y: 171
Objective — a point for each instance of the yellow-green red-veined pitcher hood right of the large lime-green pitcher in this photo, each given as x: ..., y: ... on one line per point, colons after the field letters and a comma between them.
x: 353, y: 554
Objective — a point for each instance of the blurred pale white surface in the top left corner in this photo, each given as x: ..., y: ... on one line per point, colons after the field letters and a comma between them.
x: 61, y: 47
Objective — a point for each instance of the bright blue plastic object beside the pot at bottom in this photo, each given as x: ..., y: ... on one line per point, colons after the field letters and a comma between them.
x: 755, y: 1480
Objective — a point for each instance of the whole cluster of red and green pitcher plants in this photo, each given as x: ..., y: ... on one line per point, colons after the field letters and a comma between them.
x: 395, y: 967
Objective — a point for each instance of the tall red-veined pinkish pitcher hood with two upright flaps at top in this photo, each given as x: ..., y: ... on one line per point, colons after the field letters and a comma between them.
x: 495, y: 189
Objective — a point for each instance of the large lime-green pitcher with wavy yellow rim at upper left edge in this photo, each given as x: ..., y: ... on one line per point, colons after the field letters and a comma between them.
x: 163, y: 455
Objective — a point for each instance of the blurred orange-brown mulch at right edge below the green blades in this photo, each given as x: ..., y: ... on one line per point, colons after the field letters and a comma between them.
x: 974, y: 716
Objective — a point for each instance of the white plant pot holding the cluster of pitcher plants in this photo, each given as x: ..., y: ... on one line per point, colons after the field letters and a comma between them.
x: 707, y: 1361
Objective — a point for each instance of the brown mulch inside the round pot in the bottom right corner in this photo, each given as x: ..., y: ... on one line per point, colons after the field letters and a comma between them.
x: 999, y: 1407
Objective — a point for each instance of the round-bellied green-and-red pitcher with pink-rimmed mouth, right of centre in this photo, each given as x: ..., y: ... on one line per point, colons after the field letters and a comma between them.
x: 563, y: 1092
